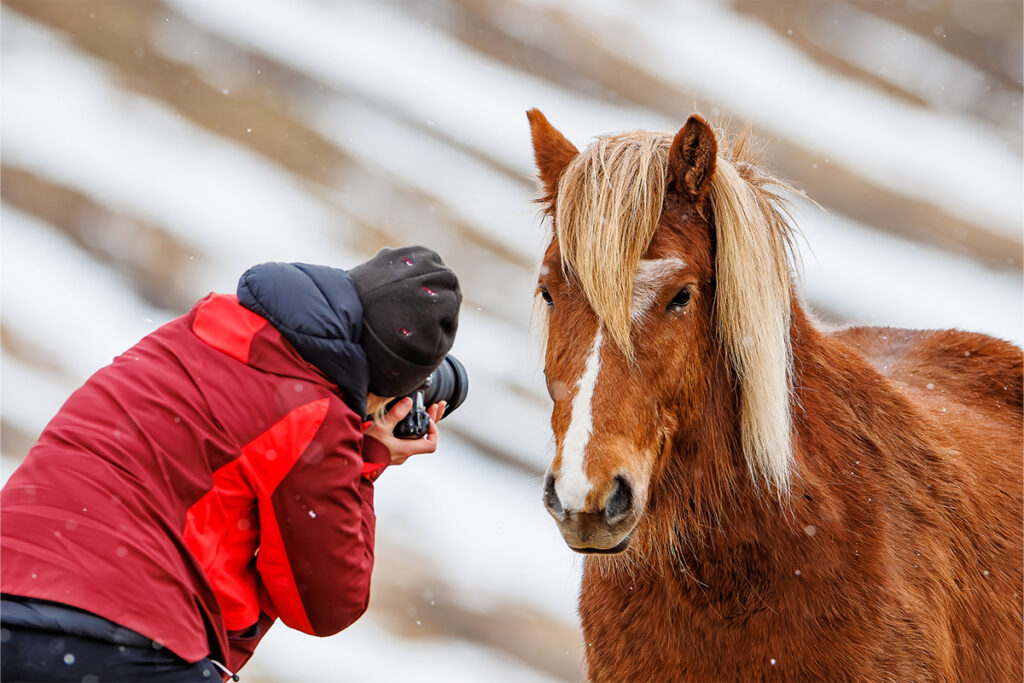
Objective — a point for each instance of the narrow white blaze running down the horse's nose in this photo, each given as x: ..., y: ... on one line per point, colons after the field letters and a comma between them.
x: 573, y: 485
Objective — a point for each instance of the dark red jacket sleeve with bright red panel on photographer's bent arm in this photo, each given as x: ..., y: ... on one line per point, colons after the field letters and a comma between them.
x: 317, y: 527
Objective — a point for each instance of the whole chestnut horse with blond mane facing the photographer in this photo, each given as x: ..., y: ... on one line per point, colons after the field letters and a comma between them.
x: 761, y: 498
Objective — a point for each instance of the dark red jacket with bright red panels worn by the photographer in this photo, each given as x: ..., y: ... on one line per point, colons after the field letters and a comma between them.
x: 148, y: 497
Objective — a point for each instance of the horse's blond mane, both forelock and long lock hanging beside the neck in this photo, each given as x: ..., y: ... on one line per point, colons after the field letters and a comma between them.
x: 609, y: 207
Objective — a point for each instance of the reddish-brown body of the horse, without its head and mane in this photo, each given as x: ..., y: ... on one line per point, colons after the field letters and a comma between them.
x: 880, y: 566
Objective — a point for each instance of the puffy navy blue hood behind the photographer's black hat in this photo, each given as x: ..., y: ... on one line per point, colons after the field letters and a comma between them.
x: 318, y: 311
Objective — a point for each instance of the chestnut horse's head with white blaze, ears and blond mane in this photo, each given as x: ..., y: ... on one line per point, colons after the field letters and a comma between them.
x: 649, y: 312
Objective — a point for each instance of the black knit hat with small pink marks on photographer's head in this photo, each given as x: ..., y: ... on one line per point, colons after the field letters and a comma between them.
x: 410, y: 316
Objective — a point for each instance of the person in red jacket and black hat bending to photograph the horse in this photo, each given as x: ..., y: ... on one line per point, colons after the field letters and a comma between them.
x: 219, y: 476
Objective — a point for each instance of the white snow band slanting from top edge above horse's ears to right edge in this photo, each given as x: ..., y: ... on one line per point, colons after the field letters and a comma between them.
x: 704, y: 48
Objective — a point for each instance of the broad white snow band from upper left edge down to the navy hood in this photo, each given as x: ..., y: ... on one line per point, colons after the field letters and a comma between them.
x: 227, y: 202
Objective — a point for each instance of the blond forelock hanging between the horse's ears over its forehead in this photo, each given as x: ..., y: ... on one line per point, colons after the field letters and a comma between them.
x: 609, y: 207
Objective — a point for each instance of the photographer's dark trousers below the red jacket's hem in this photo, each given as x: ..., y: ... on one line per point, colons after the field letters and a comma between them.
x: 34, y: 650
